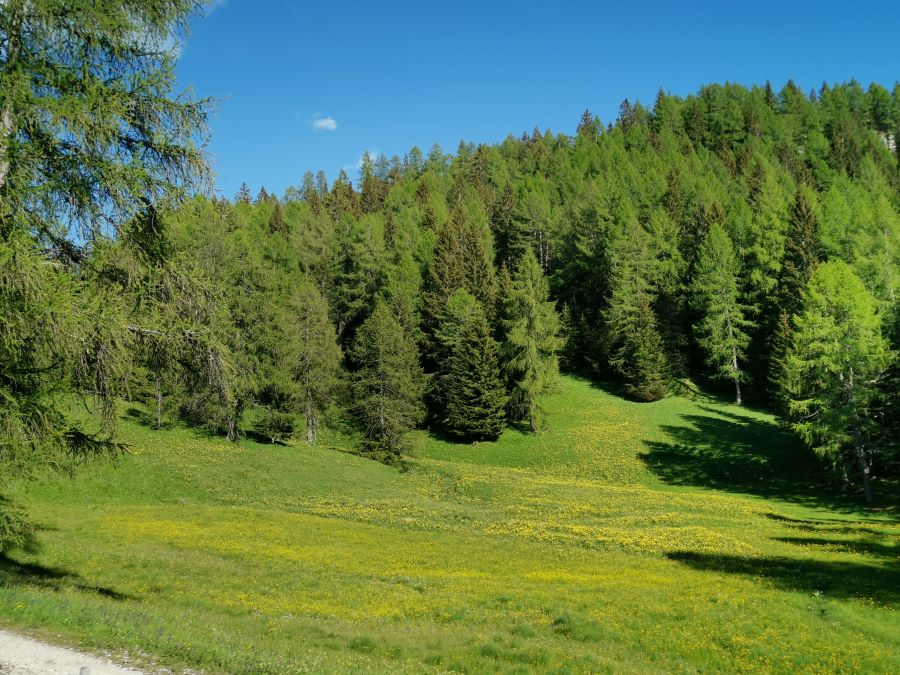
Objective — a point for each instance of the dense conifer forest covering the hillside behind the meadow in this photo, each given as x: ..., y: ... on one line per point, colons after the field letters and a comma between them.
x: 738, y: 235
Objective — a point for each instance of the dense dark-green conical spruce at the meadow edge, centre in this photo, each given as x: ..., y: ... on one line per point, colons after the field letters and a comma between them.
x: 470, y: 390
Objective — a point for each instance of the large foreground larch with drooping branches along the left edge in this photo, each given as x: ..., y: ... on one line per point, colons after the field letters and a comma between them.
x: 90, y: 133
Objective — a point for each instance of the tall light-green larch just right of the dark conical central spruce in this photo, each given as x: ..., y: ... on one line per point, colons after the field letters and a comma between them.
x: 528, y: 355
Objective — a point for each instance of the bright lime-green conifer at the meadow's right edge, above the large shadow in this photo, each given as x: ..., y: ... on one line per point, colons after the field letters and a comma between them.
x: 836, y: 359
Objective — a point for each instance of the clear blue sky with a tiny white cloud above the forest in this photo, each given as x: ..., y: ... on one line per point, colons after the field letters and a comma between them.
x: 311, y: 85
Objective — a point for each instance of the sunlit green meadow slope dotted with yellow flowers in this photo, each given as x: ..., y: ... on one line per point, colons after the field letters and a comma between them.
x: 675, y: 536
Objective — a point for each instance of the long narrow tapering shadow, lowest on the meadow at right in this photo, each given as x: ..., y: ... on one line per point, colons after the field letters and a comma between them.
x: 880, y: 582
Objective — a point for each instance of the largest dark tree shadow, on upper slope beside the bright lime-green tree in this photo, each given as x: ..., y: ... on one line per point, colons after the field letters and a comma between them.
x: 737, y: 453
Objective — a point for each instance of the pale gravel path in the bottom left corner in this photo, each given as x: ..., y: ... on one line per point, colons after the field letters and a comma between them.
x: 26, y: 656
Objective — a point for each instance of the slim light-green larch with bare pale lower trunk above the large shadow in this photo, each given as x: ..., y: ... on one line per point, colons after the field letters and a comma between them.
x: 722, y: 330
